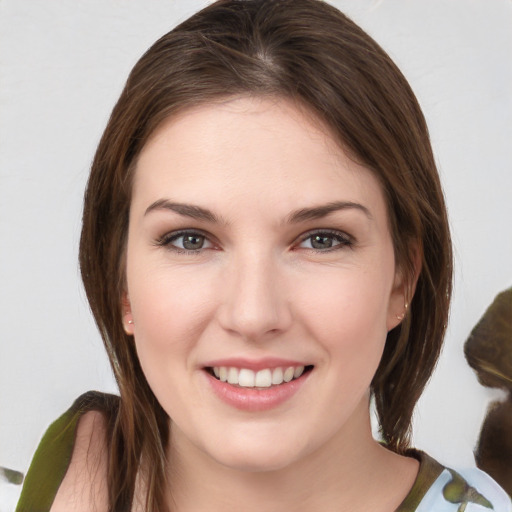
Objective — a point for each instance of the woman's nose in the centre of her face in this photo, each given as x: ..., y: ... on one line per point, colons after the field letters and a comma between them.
x: 255, y: 305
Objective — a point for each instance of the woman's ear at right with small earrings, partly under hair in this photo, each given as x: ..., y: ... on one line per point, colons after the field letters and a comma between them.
x: 403, y: 289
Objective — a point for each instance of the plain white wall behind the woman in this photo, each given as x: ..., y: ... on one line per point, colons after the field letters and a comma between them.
x: 62, y: 66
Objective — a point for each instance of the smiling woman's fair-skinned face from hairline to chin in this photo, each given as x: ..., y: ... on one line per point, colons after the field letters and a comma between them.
x: 258, y: 253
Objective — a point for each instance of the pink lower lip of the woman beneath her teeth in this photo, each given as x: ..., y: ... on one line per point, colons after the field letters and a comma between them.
x: 256, y: 399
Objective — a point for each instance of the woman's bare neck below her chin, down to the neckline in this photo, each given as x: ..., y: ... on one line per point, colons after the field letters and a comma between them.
x: 348, y: 472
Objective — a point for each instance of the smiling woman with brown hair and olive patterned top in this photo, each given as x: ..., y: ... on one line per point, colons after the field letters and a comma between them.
x: 264, y: 247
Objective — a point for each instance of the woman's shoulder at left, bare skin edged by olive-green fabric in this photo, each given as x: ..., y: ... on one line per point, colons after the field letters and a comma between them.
x: 72, y: 453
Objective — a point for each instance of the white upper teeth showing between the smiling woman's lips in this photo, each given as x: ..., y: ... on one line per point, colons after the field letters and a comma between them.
x: 263, y: 379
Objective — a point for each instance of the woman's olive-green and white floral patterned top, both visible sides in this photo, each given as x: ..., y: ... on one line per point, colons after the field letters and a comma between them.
x: 436, y: 489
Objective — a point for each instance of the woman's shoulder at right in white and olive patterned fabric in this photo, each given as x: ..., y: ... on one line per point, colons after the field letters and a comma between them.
x: 452, y: 490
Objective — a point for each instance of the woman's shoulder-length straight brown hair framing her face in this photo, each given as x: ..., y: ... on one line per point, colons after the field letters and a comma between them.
x: 309, y: 52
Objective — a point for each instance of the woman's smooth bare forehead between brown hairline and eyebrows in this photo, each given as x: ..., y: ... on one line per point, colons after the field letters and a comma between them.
x: 268, y: 151
